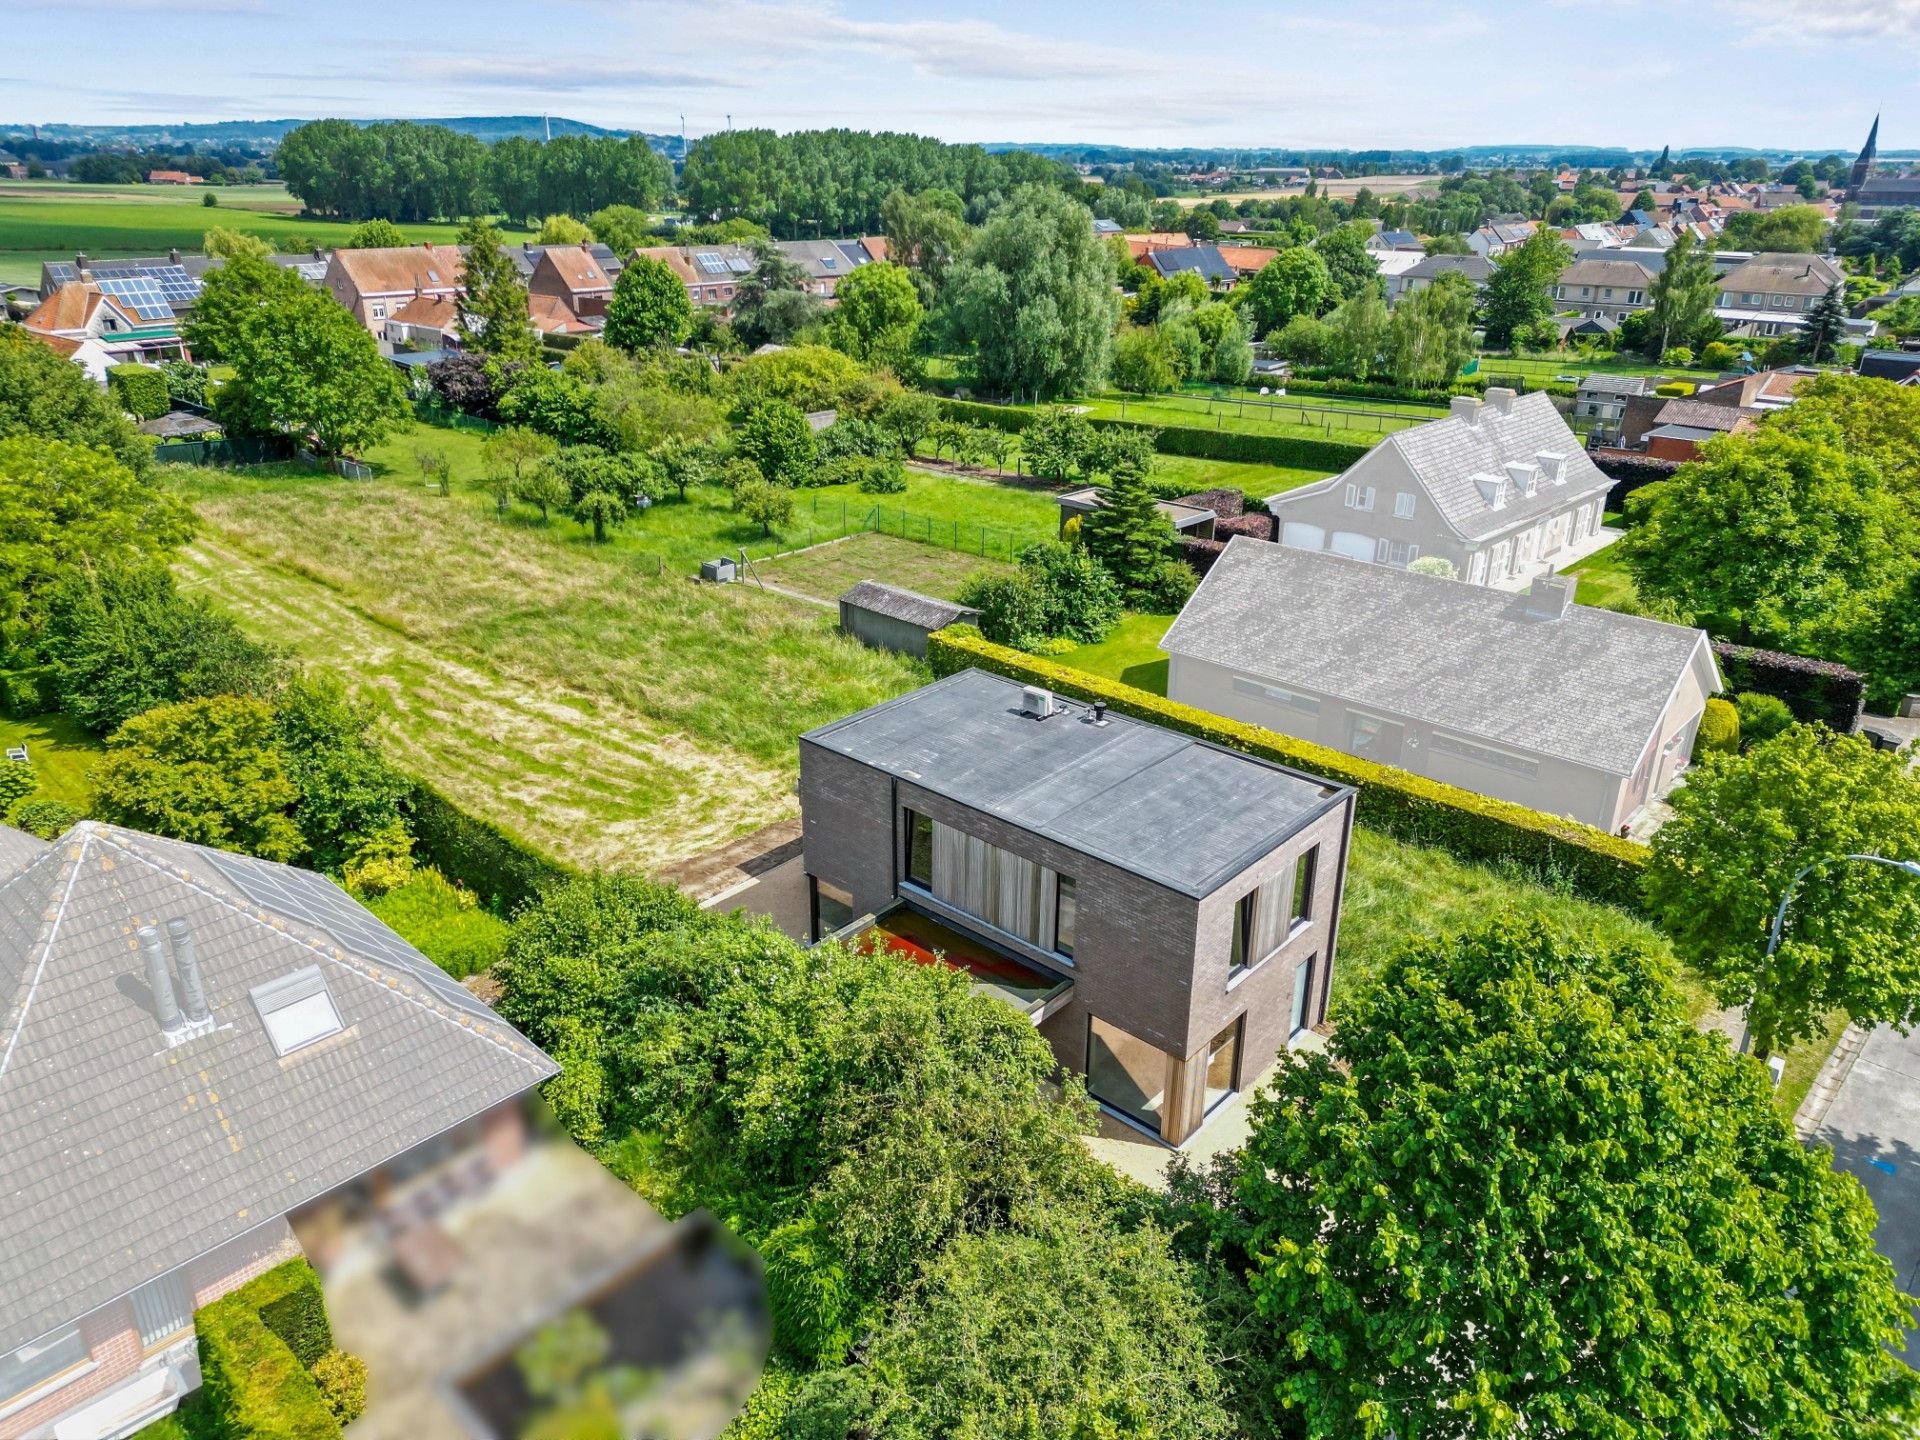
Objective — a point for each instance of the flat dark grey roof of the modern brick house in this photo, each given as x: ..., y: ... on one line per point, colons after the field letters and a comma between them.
x: 1172, y: 809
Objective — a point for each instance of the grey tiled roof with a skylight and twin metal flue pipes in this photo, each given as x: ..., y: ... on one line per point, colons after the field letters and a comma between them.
x: 124, y: 1157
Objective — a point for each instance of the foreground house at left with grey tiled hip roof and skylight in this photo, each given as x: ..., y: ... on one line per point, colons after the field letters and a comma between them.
x: 201, y: 1053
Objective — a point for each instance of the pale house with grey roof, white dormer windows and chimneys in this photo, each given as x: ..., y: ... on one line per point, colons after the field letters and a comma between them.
x: 1500, y: 489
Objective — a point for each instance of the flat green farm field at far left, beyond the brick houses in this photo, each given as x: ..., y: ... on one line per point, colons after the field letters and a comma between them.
x: 49, y: 220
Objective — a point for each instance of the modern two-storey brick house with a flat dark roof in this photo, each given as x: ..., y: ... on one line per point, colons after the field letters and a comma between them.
x: 1164, y: 911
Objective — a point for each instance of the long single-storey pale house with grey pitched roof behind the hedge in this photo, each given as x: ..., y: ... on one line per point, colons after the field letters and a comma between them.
x: 1525, y: 698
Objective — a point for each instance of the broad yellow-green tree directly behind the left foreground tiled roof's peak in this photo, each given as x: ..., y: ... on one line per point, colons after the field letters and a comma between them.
x: 204, y: 771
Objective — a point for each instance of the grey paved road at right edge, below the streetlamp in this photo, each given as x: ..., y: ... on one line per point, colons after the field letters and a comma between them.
x: 1873, y: 1126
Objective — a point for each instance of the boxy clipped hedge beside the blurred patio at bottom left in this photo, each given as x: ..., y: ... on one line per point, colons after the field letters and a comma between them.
x: 254, y: 1387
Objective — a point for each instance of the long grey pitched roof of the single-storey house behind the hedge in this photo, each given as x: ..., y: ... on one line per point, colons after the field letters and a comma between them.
x: 1589, y: 688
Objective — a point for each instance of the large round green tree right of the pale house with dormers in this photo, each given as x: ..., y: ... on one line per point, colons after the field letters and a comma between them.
x: 1773, y: 539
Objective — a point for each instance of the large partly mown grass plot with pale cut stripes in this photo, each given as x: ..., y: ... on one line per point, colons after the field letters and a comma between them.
x: 564, y: 690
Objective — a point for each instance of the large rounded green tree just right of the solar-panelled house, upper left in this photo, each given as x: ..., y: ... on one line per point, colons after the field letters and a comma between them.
x: 308, y: 370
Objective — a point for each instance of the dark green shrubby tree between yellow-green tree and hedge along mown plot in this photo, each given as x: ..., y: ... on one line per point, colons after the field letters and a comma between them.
x: 347, y: 786
